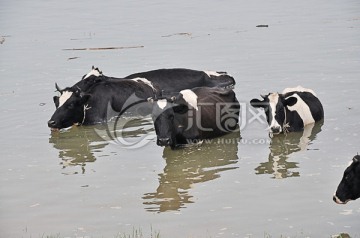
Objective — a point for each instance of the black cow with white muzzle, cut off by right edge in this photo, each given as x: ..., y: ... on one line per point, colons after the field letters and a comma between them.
x: 349, y: 187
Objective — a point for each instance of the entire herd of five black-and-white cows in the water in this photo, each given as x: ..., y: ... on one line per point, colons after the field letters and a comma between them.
x: 188, y: 106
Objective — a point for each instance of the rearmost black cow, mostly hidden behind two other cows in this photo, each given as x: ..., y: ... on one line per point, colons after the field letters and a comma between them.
x: 167, y: 80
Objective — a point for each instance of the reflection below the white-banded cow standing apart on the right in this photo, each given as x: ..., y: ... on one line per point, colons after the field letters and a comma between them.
x: 282, y: 146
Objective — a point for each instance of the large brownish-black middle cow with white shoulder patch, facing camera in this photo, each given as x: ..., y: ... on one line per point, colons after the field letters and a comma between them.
x: 193, y: 115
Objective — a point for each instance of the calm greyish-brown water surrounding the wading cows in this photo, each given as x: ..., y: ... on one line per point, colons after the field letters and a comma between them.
x: 85, y: 182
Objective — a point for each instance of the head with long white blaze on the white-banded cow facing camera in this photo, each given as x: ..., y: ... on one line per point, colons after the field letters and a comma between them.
x: 274, y: 105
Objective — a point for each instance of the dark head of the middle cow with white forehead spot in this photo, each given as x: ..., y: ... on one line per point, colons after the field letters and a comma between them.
x: 170, y: 116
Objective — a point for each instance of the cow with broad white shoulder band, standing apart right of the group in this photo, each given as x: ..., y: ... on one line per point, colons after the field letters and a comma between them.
x: 291, y: 110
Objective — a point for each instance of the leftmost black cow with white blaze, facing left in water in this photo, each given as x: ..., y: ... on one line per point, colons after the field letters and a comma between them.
x: 76, y: 107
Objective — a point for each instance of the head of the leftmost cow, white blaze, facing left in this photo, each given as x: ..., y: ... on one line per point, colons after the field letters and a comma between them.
x: 70, y: 108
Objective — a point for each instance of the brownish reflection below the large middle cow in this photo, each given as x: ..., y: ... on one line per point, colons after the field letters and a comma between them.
x: 191, y: 165
